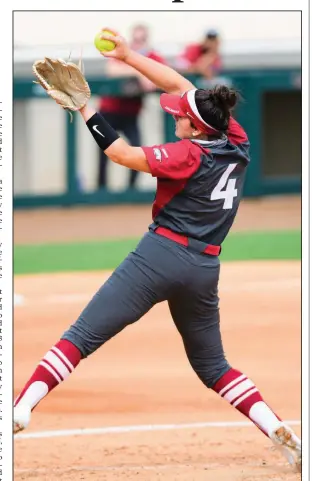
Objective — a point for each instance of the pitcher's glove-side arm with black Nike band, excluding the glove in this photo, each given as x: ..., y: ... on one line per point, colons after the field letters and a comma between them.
x: 117, y: 149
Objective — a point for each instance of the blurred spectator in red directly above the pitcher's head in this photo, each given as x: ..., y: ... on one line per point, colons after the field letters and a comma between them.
x: 203, y: 58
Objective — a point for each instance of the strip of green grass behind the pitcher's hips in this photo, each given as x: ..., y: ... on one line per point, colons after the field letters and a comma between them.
x: 108, y: 254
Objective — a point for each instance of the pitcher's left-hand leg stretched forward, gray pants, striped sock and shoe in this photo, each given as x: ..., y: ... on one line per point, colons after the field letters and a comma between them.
x: 135, y: 286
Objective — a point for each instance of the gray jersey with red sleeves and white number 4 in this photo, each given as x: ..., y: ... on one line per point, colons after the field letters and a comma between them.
x: 200, y: 184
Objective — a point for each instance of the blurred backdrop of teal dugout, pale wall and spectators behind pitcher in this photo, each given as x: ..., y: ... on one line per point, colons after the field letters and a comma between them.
x: 255, y: 52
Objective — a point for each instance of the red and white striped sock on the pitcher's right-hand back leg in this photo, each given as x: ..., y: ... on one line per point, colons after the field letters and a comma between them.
x: 243, y: 395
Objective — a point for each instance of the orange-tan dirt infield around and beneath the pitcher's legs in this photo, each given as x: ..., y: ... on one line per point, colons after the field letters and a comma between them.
x: 142, y: 377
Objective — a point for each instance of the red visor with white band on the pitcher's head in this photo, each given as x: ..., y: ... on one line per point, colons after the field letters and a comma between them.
x: 185, y: 106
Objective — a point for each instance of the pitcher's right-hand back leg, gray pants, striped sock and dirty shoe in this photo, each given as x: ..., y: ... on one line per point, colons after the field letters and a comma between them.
x: 196, y: 314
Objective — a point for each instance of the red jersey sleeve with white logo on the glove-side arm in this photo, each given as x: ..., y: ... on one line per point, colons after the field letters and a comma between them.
x: 176, y: 161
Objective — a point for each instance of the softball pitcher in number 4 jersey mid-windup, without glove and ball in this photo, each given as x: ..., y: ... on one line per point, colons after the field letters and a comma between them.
x: 199, y: 187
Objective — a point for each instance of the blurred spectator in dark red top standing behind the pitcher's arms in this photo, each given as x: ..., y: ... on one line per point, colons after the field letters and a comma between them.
x: 123, y: 112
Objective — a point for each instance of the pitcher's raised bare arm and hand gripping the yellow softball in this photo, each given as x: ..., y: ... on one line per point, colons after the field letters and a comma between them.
x: 161, y: 75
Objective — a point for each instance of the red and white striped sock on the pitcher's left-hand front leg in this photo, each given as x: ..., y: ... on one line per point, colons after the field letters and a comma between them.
x: 55, y: 367
